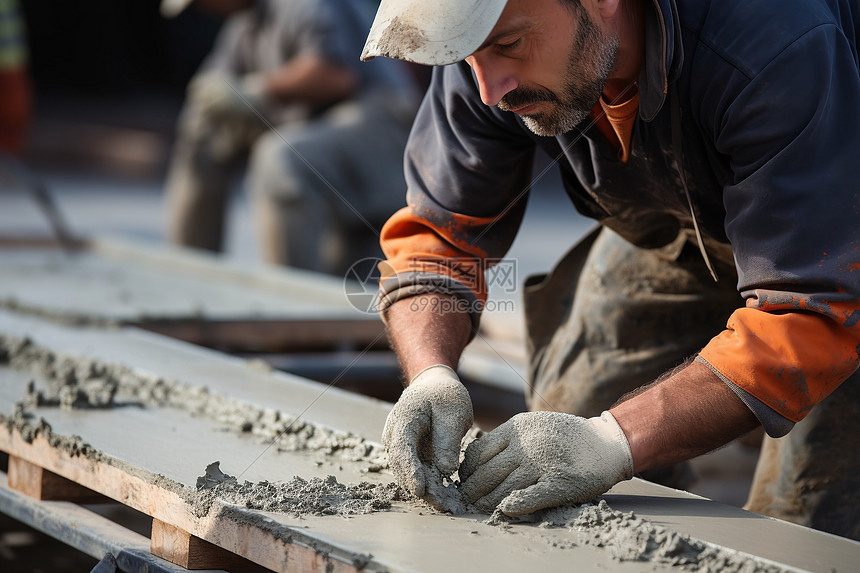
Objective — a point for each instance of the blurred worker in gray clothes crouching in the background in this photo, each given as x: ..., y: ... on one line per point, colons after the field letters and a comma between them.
x: 323, y: 134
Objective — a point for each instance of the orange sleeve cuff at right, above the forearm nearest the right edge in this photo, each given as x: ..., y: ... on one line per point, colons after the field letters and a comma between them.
x: 789, y: 360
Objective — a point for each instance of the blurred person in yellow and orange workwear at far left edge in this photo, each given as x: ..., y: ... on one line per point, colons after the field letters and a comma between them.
x: 14, y: 79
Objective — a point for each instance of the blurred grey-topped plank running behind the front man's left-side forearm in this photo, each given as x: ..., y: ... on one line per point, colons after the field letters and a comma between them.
x: 218, y: 303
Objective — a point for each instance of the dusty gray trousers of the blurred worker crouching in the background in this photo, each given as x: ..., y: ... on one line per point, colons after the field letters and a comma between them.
x: 320, y: 189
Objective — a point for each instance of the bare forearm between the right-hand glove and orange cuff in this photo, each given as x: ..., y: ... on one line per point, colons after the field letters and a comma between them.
x: 688, y: 414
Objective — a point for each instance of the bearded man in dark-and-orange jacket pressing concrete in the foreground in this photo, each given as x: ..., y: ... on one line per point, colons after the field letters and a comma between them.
x: 716, y: 145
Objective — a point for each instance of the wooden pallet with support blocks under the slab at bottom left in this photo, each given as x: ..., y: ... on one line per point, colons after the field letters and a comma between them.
x: 33, y: 494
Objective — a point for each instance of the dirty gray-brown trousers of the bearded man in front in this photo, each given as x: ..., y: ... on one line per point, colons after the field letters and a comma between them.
x: 612, y: 317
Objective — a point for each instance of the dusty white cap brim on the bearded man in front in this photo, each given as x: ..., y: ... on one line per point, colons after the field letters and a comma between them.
x: 431, y: 32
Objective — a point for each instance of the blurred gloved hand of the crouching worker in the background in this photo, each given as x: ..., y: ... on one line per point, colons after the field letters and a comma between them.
x: 219, y: 94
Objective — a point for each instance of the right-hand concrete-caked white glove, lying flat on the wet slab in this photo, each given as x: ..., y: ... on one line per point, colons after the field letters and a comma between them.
x: 537, y: 460
